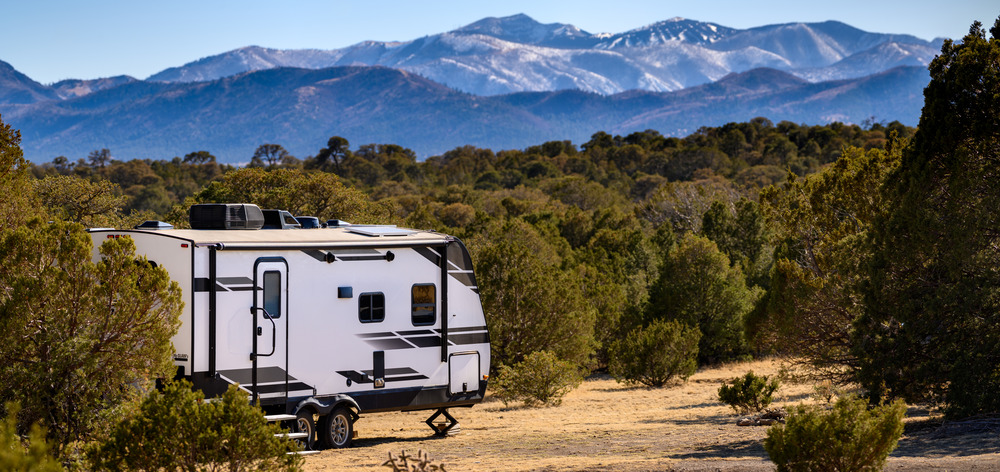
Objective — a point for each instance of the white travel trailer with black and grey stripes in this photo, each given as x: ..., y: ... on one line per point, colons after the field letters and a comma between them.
x: 324, y: 323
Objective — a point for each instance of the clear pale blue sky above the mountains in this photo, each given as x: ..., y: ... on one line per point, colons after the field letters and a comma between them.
x: 52, y: 40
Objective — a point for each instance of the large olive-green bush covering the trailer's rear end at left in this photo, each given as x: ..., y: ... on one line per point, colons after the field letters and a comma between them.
x: 80, y: 338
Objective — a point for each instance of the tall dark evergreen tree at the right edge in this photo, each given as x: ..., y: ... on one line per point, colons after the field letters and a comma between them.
x: 932, y: 325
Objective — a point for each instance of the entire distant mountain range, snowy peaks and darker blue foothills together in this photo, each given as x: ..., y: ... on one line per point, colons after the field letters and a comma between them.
x: 500, y: 83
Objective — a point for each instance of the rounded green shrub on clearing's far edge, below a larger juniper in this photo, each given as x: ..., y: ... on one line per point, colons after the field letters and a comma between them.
x: 653, y: 355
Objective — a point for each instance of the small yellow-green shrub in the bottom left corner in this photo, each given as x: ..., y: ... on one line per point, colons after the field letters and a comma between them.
x: 15, y: 455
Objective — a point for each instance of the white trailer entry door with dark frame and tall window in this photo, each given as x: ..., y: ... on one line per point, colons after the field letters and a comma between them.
x: 270, y: 330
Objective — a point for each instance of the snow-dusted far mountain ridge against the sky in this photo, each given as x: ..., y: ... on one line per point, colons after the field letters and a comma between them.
x: 513, y: 54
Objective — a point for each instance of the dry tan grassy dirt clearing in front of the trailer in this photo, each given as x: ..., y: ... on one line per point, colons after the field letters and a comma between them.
x: 604, y: 425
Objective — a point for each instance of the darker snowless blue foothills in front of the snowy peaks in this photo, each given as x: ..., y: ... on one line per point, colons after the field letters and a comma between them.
x: 301, y: 108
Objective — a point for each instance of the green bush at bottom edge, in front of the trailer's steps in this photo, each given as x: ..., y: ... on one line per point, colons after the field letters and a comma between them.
x: 178, y: 430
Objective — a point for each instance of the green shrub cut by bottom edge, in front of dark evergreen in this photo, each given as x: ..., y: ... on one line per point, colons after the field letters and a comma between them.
x: 848, y: 437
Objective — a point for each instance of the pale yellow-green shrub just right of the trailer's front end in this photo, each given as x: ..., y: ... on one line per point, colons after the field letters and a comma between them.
x: 540, y: 379
